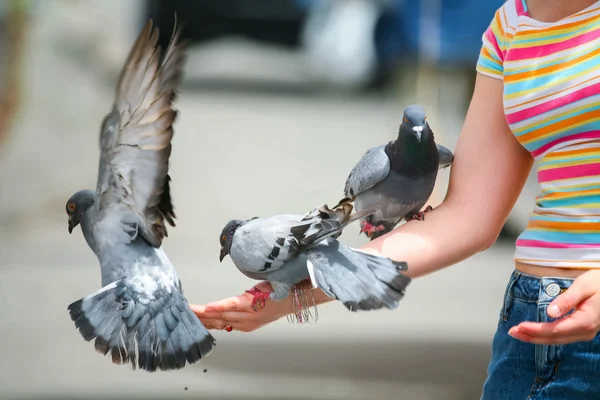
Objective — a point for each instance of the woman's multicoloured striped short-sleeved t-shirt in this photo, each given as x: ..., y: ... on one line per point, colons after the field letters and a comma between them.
x: 551, y: 74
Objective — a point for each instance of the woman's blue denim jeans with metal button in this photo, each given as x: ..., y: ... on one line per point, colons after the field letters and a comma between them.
x: 520, y: 370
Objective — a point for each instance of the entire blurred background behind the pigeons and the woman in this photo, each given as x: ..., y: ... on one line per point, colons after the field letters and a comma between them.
x: 286, y: 91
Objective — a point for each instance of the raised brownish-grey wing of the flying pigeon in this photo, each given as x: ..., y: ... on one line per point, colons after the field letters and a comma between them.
x: 133, y: 193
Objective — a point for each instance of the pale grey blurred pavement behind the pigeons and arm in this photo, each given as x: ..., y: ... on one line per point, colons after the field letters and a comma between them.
x: 236, y: 154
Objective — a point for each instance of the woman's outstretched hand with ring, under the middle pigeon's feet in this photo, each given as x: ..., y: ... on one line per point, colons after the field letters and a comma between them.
x: 236, y: 313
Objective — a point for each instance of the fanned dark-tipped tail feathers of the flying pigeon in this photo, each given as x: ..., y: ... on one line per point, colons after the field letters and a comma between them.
x: 158, y: 331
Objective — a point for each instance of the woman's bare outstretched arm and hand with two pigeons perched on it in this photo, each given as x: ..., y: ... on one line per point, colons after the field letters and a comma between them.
x: 489, y: 170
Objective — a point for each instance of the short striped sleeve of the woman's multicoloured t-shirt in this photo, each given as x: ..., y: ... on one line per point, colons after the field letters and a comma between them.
x: 491, y: 56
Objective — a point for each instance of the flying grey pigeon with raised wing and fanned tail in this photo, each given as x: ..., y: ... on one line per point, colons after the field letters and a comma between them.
x: 140, y: 315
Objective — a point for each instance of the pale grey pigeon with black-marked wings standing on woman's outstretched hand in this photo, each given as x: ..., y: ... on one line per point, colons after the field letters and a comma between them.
x: 287, y: 249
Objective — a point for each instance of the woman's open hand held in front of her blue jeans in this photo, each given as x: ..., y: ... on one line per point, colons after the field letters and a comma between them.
x: 582, y: 325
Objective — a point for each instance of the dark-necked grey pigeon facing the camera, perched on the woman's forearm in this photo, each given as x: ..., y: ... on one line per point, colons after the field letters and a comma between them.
x: 397, y: 178
